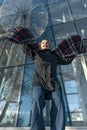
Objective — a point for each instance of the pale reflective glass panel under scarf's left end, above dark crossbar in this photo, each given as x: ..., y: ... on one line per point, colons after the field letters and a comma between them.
x: 11, y: 55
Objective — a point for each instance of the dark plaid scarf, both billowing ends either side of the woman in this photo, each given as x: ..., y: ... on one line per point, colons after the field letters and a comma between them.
x: 69, y: 47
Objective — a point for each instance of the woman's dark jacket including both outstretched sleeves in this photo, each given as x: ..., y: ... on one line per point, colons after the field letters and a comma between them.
x: 46, y: 62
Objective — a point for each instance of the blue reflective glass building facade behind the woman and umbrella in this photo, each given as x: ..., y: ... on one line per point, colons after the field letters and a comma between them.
x: 65, y: 17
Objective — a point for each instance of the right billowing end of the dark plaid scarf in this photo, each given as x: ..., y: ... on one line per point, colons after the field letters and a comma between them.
x: 72, y: 46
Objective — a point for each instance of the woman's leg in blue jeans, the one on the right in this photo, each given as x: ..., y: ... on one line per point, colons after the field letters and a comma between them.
x: 57, y: 111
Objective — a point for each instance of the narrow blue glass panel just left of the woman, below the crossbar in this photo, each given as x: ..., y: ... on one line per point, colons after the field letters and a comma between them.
x: 25, y: 110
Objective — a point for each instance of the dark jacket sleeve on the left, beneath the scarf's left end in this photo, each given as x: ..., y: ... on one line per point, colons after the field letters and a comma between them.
x: 27, y: 49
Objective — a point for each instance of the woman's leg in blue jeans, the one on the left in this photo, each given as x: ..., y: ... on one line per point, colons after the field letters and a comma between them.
x: 37, y: 122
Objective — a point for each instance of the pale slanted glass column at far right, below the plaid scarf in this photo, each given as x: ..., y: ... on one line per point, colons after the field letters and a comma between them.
x: 81, y: 82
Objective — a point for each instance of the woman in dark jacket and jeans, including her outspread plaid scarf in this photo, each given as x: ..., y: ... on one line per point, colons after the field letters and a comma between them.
x: 45, y: 82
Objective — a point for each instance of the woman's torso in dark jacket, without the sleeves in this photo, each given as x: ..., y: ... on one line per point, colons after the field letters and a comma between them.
x: 45, y: 70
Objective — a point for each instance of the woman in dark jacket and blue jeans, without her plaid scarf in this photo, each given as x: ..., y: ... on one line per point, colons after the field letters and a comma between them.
x: 46, y: 86
